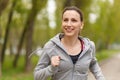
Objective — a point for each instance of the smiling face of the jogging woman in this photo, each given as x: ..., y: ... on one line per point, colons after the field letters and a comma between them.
x: 71, y: 24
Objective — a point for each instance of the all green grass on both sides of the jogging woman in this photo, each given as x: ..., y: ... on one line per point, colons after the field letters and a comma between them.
x: 10, y: 73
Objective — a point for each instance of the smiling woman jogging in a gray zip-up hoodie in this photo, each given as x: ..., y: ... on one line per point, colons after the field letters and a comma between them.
x: 68, y: 56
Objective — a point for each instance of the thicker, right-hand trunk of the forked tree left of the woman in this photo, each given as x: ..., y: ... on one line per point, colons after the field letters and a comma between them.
x: 30, y: 25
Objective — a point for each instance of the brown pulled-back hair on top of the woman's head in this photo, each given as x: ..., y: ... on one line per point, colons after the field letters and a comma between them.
x: 75, y: 9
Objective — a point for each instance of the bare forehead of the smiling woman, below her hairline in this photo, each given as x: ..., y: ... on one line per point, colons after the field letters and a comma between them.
x: 71, y: 13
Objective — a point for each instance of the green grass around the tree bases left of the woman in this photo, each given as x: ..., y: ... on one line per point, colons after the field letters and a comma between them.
x: 10, y: 73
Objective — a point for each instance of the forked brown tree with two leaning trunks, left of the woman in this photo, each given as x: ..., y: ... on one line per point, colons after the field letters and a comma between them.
x: 28, y: 32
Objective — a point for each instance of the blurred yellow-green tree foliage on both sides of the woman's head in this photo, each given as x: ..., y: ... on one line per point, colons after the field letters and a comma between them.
x: 106, y: 22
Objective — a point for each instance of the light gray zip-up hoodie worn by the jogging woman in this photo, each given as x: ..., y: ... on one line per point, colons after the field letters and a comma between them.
x: 67, y: 70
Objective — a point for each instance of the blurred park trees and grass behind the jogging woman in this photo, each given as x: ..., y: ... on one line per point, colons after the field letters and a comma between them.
x: 26, y: 25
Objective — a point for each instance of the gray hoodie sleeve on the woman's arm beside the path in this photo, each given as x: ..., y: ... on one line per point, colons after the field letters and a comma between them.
x: 94, y: 67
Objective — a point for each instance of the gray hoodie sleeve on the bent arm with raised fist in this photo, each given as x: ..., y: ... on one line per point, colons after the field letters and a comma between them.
x: 44, y: 69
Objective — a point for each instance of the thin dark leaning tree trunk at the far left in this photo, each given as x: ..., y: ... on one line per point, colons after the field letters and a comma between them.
x: 7, y: 31
